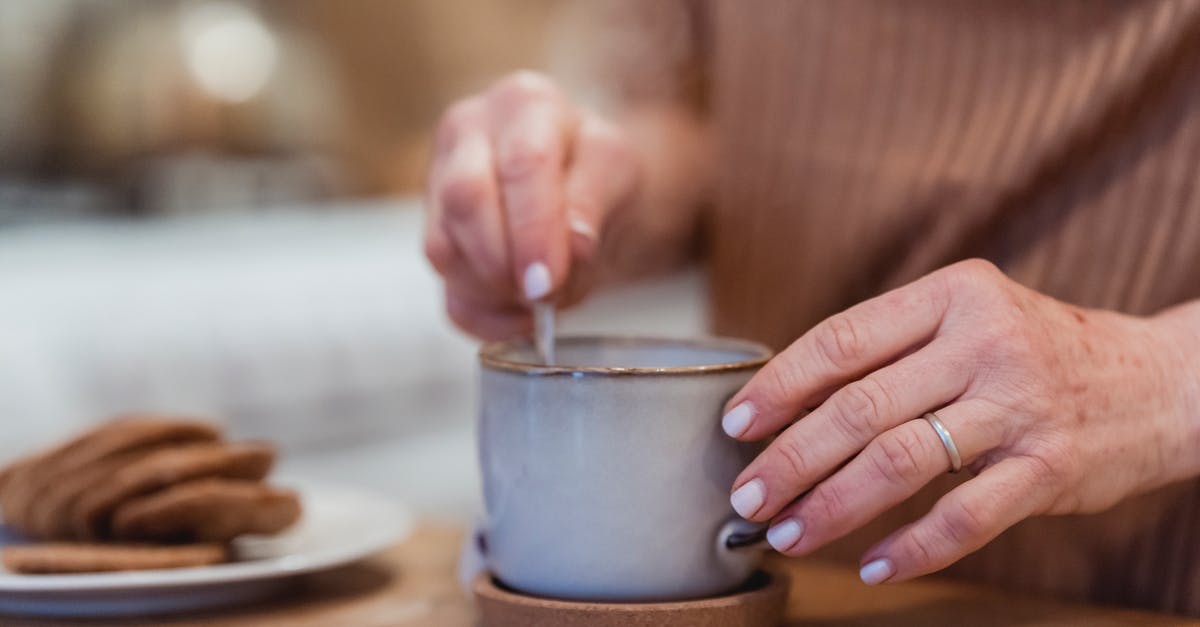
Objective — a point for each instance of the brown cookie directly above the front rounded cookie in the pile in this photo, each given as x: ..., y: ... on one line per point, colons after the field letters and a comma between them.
x: 165, y: 468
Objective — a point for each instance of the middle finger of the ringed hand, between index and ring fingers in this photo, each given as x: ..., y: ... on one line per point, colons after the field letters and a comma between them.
x: 844, y: 425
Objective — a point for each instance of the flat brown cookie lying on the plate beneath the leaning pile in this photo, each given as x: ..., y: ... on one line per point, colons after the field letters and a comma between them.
x: 79, y: 558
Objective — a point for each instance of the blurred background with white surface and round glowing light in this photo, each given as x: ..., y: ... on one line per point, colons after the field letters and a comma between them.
x: 213, y: 208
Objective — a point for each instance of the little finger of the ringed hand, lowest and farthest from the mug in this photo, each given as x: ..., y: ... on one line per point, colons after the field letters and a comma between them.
x: 961, y: 523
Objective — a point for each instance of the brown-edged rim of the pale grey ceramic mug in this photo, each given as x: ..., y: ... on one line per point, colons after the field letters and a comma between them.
x: 491, y: 356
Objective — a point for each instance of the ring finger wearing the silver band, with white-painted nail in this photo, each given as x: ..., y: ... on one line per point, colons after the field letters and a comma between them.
x: 893, y: 468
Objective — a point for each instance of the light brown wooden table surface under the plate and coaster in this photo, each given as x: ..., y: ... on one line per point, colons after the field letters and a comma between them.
x: 415, y: 584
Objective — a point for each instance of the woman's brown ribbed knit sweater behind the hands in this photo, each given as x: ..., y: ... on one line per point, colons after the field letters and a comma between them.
x: 863, y: 144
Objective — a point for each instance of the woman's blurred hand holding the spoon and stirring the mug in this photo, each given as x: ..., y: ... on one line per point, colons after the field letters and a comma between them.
x: 519, y: 189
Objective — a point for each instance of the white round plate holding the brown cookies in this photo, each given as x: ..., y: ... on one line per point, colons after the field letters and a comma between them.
x: 340, y: 526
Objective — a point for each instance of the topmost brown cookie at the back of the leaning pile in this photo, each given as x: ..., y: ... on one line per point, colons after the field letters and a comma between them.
x: 26, y: 480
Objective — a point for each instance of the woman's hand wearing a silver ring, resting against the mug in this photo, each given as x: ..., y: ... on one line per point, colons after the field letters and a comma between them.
x: 1055, y: 409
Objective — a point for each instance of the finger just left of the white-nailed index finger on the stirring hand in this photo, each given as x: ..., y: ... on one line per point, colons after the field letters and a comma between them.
x: 469, y: 204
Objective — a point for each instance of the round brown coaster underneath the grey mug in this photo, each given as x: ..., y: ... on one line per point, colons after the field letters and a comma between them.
x: 759, y: 605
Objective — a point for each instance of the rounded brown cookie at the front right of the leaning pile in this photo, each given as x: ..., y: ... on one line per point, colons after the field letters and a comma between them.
x: 207, y: 511
